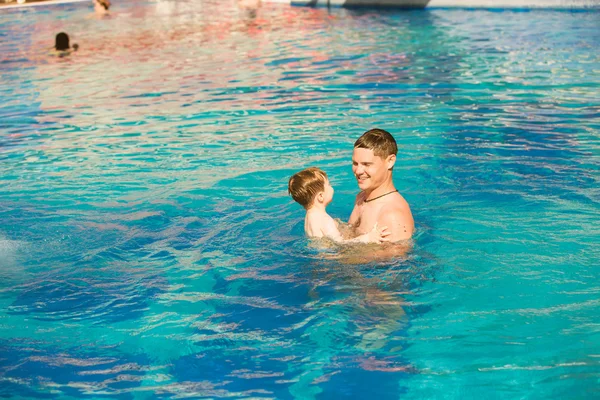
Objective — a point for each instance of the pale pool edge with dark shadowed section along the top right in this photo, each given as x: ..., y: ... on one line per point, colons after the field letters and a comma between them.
x: 447, y: 3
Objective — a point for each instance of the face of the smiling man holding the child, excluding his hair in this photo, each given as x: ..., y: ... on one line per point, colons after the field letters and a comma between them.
x: 370, y: 170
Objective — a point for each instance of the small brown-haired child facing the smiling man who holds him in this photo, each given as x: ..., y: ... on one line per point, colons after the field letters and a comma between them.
x: 312, y: 190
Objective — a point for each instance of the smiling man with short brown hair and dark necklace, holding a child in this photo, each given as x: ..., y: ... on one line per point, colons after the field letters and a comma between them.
x: 378, y: 202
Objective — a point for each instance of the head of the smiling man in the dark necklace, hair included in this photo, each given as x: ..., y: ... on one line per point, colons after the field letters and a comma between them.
x: 373, y: 158
